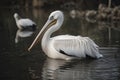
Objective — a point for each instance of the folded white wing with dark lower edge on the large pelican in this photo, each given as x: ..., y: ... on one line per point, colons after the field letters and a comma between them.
x: 76, y: 46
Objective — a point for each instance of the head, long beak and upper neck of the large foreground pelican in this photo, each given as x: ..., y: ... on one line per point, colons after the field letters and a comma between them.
x: 53, y: 23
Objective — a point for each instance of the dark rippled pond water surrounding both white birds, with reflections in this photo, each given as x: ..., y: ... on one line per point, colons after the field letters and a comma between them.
x: 16, y: 63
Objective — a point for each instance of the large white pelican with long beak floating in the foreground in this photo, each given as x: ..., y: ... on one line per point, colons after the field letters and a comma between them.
x: 64, y: 46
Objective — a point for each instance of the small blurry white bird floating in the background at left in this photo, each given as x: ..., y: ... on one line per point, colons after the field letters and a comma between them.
x: 24, y: 23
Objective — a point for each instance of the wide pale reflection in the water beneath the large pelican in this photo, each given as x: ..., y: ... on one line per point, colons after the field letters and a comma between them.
x: 65, y: 70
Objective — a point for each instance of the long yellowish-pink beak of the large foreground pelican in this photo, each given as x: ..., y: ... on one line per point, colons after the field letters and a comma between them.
x: 41, y: 33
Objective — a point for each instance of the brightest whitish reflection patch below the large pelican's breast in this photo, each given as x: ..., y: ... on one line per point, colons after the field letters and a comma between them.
x: 50, y: 68
